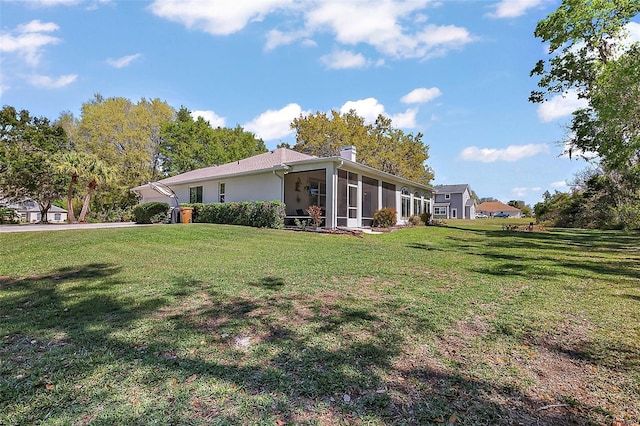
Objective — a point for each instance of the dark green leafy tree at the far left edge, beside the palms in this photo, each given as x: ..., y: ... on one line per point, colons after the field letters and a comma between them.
x: 27, y: 165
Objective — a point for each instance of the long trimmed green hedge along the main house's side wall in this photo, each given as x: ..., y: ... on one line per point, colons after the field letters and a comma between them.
x: 259, y: 214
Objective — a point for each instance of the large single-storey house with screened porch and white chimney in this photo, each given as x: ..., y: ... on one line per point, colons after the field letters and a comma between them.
x: 348, y: 192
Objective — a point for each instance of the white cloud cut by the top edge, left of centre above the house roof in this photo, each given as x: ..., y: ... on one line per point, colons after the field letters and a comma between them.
x: 218, y: 17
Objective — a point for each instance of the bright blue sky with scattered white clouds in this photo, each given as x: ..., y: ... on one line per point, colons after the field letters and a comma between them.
x: 455, y: 71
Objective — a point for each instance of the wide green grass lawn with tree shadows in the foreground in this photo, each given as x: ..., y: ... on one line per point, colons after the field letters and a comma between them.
x: 208, y: 324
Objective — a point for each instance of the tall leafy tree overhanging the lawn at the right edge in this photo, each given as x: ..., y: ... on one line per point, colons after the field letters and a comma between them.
x: 587, y: 55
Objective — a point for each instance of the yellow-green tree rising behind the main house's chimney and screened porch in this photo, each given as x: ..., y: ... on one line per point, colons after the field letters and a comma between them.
x: 378, y: 145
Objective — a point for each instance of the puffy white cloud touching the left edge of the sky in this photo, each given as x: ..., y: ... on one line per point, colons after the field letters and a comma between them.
x: 28, y: 40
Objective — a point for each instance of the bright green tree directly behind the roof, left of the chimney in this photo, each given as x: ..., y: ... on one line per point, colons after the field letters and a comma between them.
x: 189, y: 144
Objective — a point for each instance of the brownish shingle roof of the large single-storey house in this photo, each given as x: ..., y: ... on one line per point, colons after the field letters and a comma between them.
x: 264, y: 161
